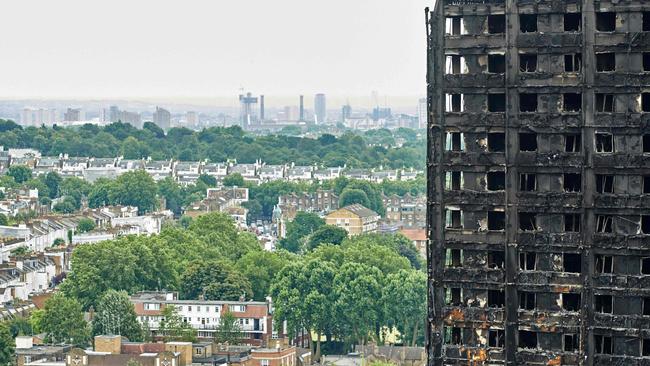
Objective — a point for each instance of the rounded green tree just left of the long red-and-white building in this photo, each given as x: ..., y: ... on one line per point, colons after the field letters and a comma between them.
x: 115, y: 315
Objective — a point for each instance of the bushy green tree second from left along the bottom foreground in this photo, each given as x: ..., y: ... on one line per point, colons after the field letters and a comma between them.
x: 63, y: 321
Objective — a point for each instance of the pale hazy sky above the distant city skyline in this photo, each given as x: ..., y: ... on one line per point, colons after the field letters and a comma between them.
x: 211, y: 48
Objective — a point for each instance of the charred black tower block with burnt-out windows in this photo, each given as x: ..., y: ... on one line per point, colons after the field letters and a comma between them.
x: 539, y: 182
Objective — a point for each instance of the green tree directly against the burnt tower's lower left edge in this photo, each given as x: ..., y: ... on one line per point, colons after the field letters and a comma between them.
x: 405, y: 302
